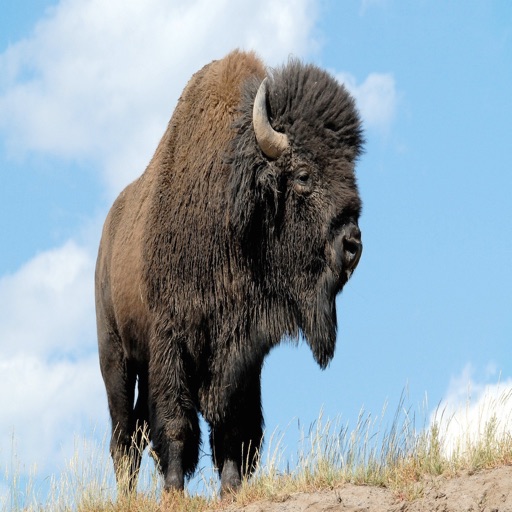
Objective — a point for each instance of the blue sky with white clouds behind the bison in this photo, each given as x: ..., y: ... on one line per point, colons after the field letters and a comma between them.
x: 86, y: 89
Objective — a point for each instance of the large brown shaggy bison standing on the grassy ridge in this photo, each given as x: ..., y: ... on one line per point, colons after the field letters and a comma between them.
x: 239, y: 234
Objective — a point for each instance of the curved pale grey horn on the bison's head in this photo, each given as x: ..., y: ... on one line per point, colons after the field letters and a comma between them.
x: 272, y: 143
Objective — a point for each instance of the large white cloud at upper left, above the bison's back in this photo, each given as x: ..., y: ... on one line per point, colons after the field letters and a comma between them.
x: 99, y: 80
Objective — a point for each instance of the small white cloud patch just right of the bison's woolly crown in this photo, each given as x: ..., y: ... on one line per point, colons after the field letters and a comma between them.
x: 376, y: 98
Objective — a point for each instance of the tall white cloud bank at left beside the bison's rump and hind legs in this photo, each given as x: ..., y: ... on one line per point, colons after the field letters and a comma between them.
x: 51, y: 383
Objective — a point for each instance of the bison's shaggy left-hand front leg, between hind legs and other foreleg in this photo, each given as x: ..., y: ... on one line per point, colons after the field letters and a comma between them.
x: 175, y: 431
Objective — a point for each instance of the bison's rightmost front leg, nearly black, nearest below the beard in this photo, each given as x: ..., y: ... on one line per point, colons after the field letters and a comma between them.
x: 236, y: 441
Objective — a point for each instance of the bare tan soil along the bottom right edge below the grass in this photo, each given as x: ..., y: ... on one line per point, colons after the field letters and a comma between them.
x: 484, y: 491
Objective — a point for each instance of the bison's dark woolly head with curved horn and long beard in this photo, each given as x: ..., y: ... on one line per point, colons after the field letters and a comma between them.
x: 296, y: 203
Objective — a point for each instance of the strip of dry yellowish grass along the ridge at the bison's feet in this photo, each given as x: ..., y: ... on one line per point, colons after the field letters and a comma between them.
x: 399, y: 458
